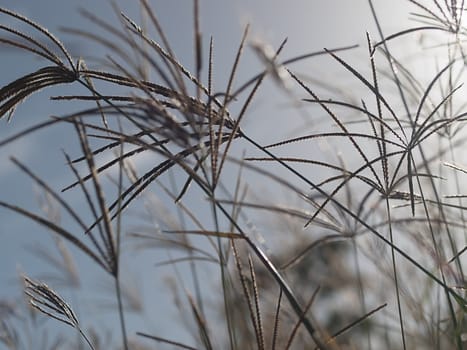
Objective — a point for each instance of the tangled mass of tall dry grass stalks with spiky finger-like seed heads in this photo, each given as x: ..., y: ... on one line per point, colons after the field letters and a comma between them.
x: 364, y: 249
